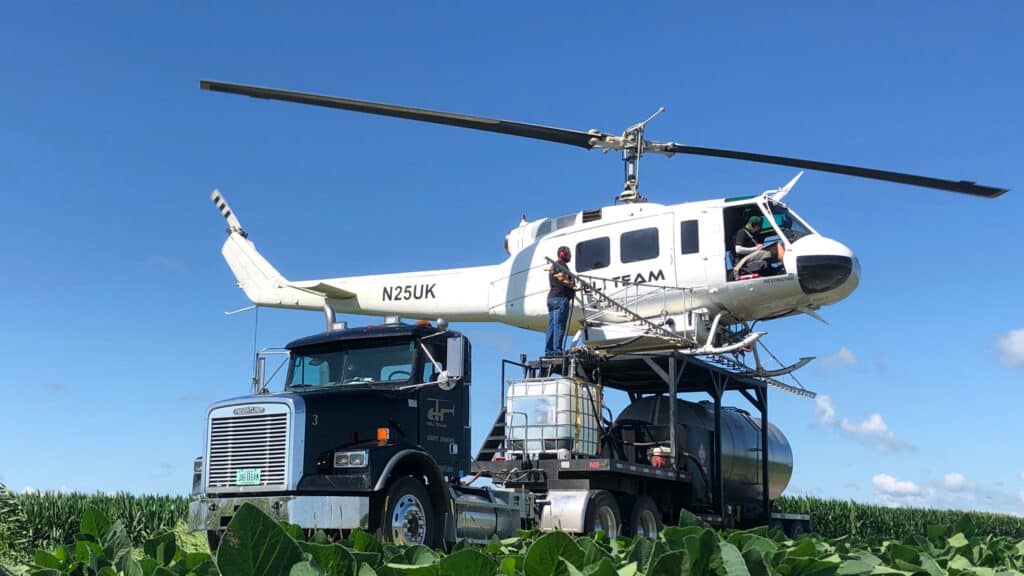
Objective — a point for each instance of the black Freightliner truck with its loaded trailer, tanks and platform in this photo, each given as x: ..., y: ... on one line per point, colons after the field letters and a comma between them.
x: 372, y: 431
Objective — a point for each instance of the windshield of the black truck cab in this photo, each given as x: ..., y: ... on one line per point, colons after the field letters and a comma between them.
x: 361, y: 366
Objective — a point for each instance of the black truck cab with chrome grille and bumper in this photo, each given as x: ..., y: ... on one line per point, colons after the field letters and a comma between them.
x: 370, y: 431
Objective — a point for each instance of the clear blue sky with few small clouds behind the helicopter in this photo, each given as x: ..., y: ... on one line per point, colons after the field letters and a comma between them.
x: 113, y: 290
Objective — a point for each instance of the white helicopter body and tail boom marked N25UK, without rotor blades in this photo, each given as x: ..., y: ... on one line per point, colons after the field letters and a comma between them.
x: 665, y: 260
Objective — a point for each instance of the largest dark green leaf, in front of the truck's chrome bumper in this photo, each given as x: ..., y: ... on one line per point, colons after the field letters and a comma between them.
x: 255, y: 546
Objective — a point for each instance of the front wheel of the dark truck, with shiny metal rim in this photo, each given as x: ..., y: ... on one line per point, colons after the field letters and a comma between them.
x: 409, y: 517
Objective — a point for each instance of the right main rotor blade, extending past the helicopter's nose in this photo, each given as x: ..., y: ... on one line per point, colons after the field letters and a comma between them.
x: 963, y: 187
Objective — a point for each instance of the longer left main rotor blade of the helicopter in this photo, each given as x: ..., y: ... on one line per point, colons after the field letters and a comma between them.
x: 561, y: 136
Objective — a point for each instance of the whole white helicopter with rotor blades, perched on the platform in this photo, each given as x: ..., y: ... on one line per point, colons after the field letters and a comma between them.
x: 652, y: 271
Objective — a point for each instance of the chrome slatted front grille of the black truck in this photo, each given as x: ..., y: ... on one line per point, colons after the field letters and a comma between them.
x: 246, y: 443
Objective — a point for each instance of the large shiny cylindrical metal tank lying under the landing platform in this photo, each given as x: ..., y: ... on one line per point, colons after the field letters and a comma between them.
x: 742, y: 470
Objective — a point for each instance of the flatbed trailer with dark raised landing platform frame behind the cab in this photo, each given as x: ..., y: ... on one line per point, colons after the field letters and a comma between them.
x: 664, y: 374
